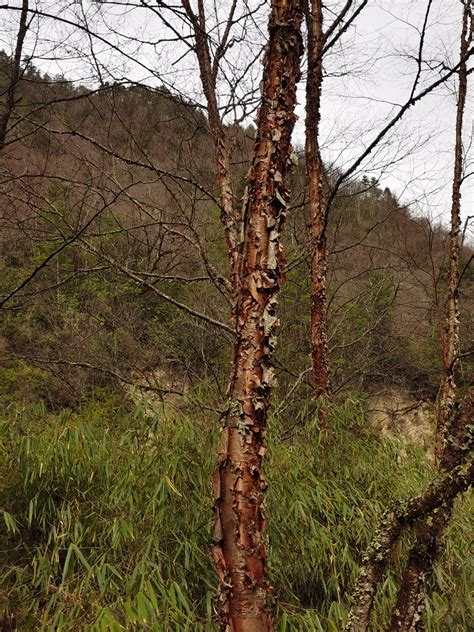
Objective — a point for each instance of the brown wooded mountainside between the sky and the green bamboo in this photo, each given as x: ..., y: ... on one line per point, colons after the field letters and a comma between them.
x: 143, y: 235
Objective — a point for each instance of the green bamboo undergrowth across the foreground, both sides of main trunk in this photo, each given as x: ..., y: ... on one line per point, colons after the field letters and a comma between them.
x: 106, y: 520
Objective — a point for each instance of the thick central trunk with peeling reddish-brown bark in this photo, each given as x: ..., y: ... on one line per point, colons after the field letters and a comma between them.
x: 239, y: 544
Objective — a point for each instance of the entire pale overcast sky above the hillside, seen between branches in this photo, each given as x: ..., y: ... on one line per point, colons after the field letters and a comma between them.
x: 367, y: 75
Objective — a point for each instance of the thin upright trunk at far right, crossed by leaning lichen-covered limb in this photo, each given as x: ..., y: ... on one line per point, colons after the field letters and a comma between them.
x: 408, y: 612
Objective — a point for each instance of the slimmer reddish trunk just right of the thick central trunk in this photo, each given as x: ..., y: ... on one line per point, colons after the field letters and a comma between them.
x: 315, y: 196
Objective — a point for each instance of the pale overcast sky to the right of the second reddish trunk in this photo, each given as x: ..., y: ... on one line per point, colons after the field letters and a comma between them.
x: 388, y: 31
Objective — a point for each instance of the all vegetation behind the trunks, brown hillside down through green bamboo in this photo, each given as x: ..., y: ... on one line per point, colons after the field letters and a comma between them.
x: 115, y: 350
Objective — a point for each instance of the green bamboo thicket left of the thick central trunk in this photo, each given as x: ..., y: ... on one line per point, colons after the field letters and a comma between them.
x: 107, y: 539
